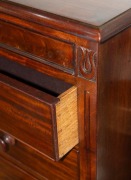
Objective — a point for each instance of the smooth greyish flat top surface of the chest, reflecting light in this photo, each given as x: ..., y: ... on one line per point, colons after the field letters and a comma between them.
x: 93, y: 12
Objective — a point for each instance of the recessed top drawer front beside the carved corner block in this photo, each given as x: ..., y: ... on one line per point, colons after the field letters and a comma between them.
x: 45, y: 48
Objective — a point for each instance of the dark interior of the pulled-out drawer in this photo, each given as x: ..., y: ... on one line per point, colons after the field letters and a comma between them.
x: 32, y: 77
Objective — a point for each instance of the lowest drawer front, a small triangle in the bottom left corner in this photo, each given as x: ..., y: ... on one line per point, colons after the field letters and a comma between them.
x: 9, y: 171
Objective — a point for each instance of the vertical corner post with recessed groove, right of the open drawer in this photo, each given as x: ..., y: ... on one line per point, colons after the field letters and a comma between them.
x: 87, y: 96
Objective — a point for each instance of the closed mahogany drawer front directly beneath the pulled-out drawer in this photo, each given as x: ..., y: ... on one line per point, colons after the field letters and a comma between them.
x: 43, y: 167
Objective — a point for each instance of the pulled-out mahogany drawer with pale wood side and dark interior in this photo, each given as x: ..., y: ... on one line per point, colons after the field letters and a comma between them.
x: 37, y: 109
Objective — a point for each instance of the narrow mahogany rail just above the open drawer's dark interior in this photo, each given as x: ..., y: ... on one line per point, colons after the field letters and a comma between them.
x: 35, y: 65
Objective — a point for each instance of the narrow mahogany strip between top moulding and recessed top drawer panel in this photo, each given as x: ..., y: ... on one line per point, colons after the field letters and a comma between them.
x: 46, y: 30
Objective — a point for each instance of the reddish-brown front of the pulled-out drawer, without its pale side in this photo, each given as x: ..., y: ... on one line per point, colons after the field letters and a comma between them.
x: 30, y: 111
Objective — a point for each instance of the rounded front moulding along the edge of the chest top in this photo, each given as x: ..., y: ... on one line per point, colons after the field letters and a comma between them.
x: 52, y: 21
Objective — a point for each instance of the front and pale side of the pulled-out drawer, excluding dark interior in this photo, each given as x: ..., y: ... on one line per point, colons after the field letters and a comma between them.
x: 38, y: 114
